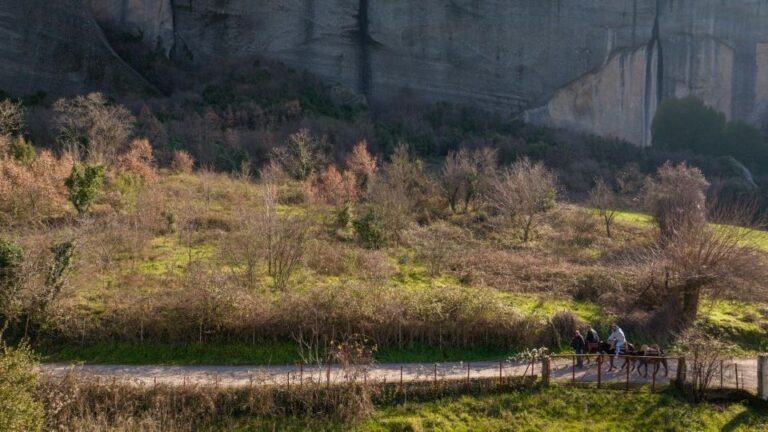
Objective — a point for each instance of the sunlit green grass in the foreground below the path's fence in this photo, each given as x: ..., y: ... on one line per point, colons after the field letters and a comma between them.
x: 557, y: 409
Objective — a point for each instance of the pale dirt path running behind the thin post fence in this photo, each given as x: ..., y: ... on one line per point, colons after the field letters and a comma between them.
x: 562, y: 371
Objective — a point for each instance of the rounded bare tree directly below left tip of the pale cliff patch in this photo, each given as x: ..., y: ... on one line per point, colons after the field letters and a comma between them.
x: 523, y: 192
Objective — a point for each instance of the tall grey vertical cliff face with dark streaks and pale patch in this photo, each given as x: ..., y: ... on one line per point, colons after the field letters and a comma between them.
x: 595, y: 65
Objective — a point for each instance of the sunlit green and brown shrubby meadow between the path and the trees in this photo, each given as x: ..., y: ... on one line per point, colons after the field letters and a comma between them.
x: 130, y: 282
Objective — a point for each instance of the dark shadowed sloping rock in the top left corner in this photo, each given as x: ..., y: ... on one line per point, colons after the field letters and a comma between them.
x: 58, y: 47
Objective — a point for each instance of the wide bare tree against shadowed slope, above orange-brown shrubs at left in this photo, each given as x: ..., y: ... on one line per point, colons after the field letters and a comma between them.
x: 93, y: 129
